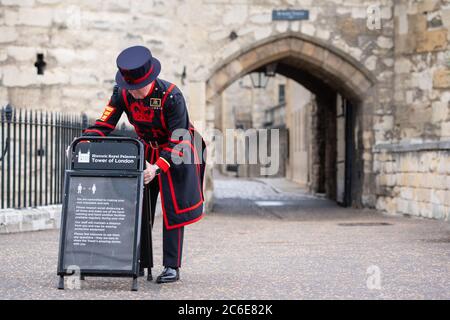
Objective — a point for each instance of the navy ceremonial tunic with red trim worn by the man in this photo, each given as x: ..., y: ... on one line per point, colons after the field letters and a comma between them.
x: 162, y: 123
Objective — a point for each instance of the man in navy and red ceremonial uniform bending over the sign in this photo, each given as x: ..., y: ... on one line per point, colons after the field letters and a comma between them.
x: 175, y: 152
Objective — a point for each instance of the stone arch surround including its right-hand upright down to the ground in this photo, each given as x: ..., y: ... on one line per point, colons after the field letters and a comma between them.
x: 323, y: 68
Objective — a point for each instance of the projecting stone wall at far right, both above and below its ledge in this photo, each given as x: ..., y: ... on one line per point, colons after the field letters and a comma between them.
x: 414, y: 170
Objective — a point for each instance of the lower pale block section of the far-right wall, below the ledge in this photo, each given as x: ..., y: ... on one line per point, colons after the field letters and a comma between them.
x: 415, y: 183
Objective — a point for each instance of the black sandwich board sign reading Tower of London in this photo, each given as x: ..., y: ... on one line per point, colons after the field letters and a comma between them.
x: 102, y: 205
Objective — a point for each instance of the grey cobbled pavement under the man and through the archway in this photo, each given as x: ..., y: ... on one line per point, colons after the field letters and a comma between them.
x: 266, y: 239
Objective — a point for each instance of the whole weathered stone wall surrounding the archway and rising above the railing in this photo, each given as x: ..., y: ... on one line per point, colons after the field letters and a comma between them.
x: 397, y: 73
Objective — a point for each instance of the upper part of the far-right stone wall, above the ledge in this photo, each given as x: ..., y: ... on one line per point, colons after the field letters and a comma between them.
x: 422, y: 74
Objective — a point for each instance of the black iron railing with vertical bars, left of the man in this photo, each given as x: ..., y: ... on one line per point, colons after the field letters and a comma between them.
x: 33, y: 157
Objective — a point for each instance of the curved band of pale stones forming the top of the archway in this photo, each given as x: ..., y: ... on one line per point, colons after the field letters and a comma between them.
x: 336, y: 68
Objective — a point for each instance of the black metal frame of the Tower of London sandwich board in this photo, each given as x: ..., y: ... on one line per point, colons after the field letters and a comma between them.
x: 138, y: 175
